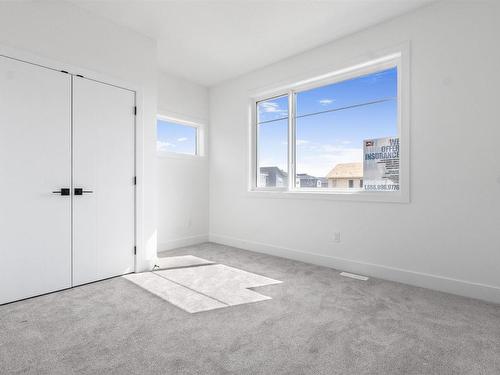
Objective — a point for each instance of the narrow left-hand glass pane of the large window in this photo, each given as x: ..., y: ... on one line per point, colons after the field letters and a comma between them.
x: 272, y: 140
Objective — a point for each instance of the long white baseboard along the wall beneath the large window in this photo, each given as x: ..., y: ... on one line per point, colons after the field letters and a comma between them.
x: 464, y: 288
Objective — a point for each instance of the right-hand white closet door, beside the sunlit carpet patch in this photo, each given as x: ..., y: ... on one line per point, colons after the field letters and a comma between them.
x: 103, y: 167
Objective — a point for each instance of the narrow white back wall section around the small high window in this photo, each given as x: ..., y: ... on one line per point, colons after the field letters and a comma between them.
x: 183, y: 180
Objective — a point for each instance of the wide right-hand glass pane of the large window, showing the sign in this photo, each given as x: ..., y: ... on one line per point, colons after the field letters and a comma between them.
x: 331, y: 146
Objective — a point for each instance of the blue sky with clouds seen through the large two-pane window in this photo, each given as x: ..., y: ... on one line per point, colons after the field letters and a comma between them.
x: 326, y: 139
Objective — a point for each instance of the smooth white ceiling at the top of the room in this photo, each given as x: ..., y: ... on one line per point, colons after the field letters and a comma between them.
x: 211, y: 41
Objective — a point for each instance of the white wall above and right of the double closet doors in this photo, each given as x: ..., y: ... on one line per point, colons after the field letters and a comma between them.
x: 62, y: 32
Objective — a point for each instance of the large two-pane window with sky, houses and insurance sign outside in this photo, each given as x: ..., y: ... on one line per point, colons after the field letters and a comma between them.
x: 344, y: 134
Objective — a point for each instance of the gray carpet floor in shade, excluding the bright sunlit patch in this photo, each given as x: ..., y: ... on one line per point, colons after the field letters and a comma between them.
x: 317, y: 323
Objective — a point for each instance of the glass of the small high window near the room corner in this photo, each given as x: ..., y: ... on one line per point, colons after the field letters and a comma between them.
x: 173, y: 137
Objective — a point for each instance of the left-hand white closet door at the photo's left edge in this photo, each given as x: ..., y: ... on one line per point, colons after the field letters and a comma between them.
x: 35, y: 163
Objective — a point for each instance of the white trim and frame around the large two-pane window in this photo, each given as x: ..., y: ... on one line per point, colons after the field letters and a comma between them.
x: 399, y: 59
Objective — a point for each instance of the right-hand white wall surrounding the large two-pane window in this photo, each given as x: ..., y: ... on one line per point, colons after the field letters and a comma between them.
x: 448, y: 237
